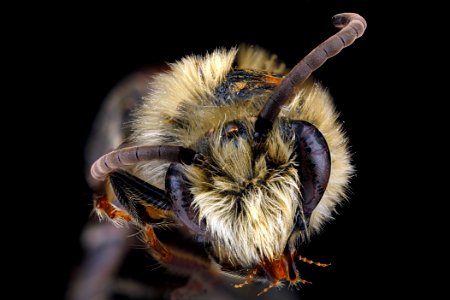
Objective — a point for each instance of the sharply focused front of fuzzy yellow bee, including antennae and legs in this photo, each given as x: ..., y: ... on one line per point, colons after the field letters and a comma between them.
x: 243, y: 156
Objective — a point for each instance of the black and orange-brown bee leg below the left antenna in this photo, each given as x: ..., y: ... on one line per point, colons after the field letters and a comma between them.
x: 137, y: 197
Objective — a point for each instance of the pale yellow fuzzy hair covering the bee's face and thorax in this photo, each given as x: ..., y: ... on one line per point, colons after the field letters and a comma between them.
x: 249, y: 206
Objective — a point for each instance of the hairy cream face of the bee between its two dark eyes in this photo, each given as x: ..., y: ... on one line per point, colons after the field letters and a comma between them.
x: 246, y: 195
